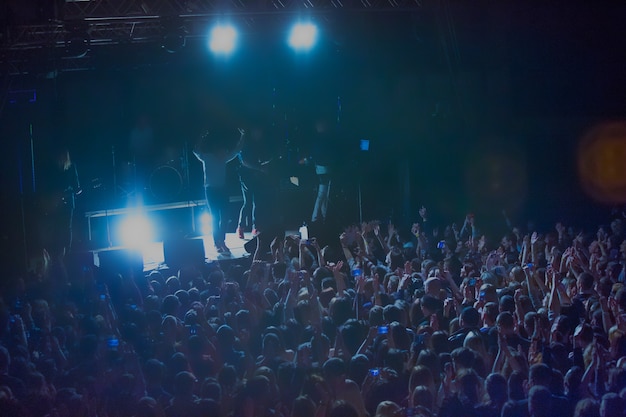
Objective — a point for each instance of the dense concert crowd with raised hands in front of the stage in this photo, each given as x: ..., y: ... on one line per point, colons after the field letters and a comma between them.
x: 431, y: 321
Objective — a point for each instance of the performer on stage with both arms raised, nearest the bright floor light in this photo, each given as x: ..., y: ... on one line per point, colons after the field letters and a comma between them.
x: 214, y: 151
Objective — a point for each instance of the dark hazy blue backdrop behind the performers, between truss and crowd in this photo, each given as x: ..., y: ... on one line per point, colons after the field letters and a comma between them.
x: 468, y: 106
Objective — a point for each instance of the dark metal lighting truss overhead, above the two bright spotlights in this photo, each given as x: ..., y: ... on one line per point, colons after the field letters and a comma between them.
x: 28, y: 49
